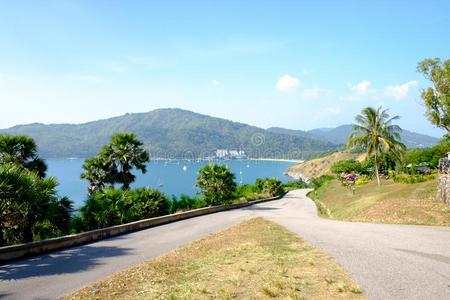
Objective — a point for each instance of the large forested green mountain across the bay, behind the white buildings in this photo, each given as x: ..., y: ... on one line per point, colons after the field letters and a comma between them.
x: 170, y: 133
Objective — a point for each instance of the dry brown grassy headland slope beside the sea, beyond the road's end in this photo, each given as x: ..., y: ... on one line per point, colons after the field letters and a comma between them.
x: 322, y: 166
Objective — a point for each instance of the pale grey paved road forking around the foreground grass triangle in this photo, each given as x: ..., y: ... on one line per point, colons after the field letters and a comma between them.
x: 387, y: 261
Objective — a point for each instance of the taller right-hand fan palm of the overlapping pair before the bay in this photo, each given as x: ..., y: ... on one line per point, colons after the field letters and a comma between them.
x: 128, y: 152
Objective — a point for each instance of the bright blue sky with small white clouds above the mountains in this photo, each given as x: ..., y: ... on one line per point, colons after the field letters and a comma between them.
x: 293, y: 64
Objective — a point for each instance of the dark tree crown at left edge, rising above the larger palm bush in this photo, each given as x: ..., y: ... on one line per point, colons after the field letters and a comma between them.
x: 21, y: 150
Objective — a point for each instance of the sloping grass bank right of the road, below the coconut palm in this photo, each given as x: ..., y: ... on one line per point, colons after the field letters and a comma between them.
x: 396, y: 203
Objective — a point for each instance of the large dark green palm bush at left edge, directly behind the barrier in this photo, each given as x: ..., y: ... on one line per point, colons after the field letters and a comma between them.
x: 29, y: 206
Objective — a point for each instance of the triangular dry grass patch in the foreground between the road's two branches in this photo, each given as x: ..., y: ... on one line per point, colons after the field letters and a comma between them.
x: 256, y: 259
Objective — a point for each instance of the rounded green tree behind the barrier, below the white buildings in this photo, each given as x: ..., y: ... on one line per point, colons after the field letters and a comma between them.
x: 217, y: 184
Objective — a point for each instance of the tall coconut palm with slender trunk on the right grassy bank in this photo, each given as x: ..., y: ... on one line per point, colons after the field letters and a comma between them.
x: 374, y: 130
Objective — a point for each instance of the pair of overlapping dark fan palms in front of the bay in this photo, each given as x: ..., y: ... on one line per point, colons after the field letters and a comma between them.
x: 115, y: 162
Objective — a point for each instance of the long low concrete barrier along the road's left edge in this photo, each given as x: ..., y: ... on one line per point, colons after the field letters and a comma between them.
x: 8, y: 253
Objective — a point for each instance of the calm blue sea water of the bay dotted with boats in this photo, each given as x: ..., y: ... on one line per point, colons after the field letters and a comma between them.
x: 174, y: 177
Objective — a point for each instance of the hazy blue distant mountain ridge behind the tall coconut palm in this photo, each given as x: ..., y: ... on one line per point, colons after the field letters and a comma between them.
x: 339, y: 136
